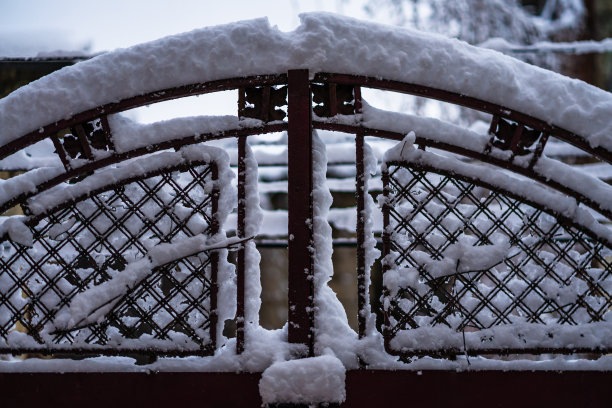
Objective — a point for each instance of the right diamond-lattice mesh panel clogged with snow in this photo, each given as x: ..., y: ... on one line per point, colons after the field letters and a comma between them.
x: 472, y: 268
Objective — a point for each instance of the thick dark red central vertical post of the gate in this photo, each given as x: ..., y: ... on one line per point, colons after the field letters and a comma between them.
x: 300, y: 209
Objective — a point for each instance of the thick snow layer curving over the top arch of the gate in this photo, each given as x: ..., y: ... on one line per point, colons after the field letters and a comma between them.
x: 322, y: 43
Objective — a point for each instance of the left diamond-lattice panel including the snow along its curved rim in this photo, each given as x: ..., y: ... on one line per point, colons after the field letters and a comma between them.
x: 131, y: 258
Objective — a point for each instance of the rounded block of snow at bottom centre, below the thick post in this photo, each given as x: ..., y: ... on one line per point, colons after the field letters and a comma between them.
x: 307, y: 380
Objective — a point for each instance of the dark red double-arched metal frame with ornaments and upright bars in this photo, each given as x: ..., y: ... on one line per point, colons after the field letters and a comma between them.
x: 299, y: 126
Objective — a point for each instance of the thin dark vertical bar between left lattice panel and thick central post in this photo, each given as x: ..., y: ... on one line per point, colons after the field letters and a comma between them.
x: 241, y: 255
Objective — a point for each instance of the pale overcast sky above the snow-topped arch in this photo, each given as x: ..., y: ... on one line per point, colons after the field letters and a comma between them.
x: 110, y: 24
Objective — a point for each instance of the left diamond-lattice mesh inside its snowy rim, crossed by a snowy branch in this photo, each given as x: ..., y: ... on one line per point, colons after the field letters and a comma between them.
x: 85, y: 243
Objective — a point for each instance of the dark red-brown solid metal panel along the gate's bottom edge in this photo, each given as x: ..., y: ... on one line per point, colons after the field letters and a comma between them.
x: 364, y: 388
